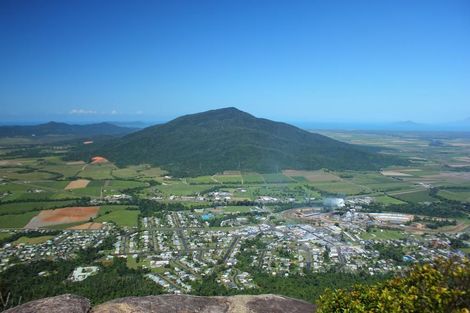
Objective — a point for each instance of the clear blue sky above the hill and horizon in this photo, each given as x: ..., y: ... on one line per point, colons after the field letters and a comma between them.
x: 367, y: 61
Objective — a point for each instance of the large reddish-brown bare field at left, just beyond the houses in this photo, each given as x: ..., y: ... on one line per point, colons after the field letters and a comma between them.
x: 62, y: 216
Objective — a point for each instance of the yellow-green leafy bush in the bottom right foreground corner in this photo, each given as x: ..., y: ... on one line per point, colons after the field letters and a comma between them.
x: 438, y: 288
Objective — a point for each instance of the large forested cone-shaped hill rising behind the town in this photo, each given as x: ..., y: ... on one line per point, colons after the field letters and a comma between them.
x: 229, y: 139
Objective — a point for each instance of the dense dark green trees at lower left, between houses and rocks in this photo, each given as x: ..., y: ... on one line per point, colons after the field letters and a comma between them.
x: 114, y: 280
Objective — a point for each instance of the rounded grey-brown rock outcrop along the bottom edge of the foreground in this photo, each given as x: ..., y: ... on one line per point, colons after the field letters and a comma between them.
x: 169, y: 303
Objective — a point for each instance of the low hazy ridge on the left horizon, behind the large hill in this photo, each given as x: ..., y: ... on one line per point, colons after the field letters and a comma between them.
x: 54, y: 128
